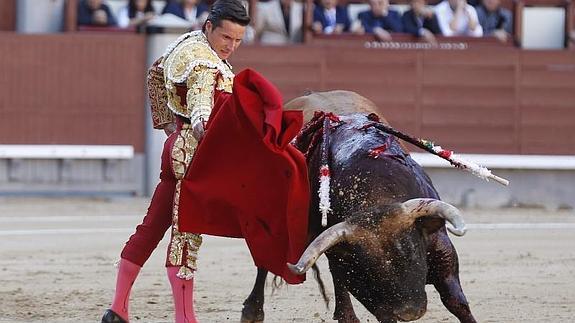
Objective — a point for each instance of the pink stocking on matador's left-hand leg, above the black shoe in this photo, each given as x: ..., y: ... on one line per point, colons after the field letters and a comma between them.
x: 127, y: 273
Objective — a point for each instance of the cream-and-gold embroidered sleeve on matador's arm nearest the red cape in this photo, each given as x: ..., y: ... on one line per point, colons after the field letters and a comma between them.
x: 200, y: 95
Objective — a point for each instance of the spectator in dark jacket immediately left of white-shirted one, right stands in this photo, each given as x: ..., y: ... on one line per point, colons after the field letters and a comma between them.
x: 421, y: 21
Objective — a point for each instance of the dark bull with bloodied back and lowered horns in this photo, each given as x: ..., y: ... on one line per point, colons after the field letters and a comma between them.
x: 383, y: 242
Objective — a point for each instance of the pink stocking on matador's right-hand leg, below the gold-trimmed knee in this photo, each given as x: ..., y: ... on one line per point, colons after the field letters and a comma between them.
x: 183, y: 292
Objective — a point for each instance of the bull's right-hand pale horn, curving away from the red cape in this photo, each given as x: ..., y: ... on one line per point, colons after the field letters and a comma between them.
x: 417, y: 208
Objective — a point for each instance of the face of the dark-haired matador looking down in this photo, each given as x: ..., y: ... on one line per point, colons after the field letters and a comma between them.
x: 225, y: 39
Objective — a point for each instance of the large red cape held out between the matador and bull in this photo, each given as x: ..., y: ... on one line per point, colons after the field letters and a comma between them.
x: 246, y: 180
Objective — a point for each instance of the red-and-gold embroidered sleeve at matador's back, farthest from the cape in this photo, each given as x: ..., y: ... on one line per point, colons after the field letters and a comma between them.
x: 161, y: 114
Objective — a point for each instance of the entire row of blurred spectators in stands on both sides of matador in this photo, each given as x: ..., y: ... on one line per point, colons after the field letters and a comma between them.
x: 280, y: 21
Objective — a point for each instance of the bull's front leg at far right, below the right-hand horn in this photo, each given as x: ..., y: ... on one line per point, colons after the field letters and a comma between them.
x: 444, y: 275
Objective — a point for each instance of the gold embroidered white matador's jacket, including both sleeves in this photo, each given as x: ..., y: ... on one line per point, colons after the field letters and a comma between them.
x: 183, y: 80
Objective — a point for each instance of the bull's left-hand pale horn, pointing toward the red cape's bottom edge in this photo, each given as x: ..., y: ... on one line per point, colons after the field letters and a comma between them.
x: 327, y: 239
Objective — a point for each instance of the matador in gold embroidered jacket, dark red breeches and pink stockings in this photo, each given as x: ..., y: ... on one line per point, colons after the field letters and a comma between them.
x: 183, y: 85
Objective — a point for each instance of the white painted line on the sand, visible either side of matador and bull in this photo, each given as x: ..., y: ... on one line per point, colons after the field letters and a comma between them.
x: 470, y: 227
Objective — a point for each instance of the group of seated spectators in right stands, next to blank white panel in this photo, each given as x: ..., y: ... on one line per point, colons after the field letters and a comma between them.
x: 447, y: 18
